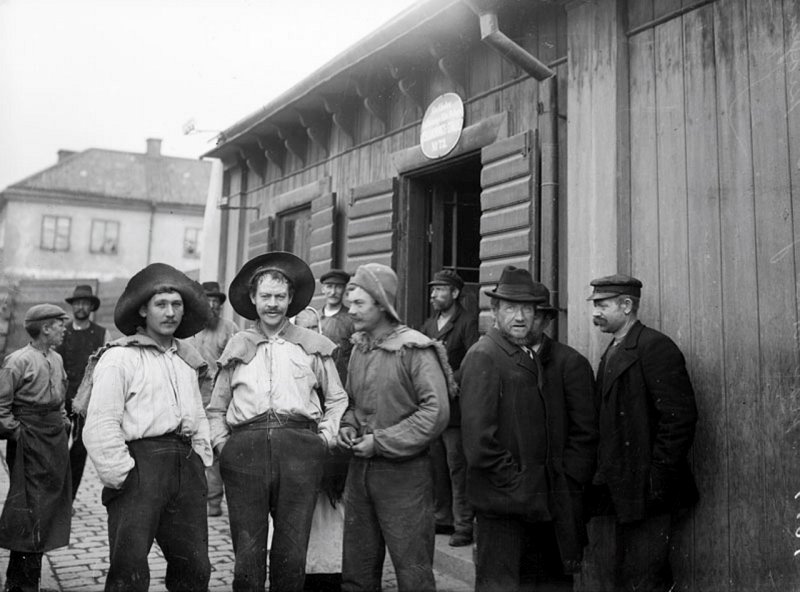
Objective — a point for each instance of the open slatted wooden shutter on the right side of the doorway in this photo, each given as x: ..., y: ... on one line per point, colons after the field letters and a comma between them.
x: 508, y: 235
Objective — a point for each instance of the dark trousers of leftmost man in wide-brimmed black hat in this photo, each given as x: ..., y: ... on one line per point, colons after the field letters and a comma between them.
x: 163, y: 499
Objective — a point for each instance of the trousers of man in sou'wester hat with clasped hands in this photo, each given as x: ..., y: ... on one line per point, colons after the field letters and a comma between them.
x: 388, y: 504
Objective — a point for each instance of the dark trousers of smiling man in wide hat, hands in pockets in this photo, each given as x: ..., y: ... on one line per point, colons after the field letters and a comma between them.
x: 271, y: 471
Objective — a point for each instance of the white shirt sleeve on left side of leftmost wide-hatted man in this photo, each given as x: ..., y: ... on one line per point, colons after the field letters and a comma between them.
x: 102, y: 434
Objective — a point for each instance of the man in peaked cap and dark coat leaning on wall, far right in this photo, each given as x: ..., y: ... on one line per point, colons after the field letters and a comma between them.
x: 647, y: 423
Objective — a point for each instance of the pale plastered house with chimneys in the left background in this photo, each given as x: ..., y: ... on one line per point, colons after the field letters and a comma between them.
x: 97, y: 217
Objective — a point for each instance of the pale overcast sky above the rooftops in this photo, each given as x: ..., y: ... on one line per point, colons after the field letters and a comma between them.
x: 79, y: 74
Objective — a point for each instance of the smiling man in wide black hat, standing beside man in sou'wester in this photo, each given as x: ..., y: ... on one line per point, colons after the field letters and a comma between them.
x: 274, y: 415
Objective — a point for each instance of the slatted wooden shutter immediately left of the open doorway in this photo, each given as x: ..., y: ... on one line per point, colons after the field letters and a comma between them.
x: 371, y: 230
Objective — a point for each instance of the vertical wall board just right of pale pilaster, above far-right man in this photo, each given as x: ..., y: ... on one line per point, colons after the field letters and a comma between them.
x: 645, y: 240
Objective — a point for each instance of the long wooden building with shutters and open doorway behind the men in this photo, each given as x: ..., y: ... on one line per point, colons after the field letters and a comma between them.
x: 665, y: 145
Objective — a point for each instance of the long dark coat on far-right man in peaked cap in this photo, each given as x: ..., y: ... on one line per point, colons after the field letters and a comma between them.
x: 647, y: 423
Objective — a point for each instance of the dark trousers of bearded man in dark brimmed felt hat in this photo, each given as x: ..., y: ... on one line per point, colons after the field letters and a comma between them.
x: 517, y: 555
